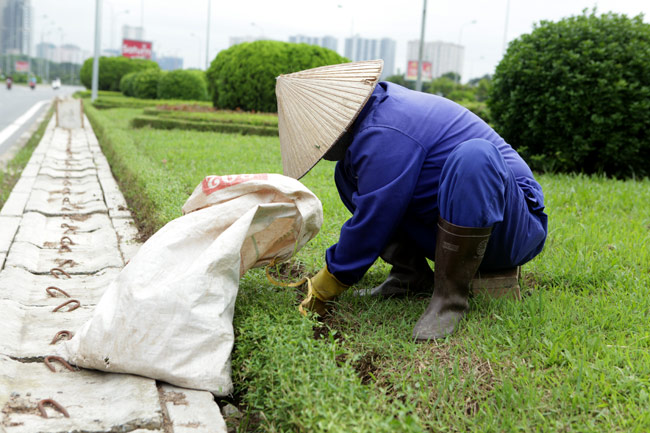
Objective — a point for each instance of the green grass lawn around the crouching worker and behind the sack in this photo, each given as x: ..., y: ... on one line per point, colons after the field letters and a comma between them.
x: 573, y: 355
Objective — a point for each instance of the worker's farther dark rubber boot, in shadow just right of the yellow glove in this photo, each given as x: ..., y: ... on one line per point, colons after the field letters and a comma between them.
x: 410, y: 272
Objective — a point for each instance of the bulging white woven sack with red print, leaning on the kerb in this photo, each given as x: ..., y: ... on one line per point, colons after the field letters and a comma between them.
x: 168, y: 314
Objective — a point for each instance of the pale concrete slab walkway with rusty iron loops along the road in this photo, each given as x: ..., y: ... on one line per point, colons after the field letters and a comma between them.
x: 65, y: 233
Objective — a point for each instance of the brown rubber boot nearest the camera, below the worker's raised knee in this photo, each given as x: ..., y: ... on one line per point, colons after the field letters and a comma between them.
x: 459, y: 252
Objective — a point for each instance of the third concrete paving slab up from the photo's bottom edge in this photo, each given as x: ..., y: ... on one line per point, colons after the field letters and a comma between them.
x: 29, y: 289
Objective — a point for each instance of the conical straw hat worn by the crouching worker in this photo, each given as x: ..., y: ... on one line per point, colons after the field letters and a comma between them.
x: 315, y: 108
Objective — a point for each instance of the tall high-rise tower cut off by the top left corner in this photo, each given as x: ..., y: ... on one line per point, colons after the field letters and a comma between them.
x: 16, y: 27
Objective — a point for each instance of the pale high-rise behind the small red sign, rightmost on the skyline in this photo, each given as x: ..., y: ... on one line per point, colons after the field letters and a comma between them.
x: 444, y: 56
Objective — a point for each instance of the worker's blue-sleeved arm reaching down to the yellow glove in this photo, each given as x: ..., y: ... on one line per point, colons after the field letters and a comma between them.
x: 385, y: 165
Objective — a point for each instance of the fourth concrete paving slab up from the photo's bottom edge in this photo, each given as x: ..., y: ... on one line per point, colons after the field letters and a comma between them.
x: 77, y: 261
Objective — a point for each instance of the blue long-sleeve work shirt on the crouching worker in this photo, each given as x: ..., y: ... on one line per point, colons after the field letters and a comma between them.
x: 401, y: 140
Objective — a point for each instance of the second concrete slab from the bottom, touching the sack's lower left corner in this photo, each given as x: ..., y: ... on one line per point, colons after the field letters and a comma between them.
x: 27, y: 331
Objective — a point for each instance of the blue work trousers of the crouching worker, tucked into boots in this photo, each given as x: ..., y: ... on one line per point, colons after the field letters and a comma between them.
x: 476, y: 189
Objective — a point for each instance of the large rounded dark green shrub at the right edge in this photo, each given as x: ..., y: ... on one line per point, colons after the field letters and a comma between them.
x: 574, y: 95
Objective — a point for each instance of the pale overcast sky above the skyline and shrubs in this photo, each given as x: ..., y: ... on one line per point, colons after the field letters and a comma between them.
x: 179, y: 27
